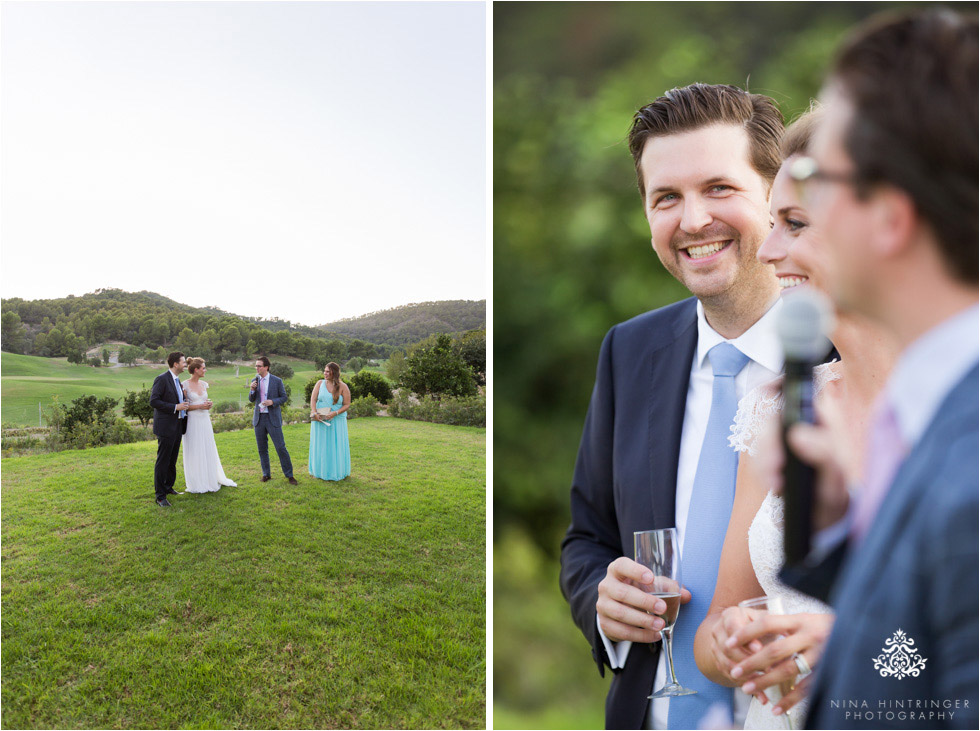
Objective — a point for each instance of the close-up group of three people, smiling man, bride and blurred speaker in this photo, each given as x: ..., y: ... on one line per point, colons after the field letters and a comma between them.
x: 871, y: 199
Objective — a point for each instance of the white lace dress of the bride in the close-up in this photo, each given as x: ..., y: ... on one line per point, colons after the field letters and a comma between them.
x: 755, y: 412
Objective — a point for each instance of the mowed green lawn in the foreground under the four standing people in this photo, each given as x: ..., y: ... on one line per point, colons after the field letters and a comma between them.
x: 358, y: 604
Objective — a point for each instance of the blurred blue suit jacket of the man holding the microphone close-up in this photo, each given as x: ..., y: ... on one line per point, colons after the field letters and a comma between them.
x: 915, y: 571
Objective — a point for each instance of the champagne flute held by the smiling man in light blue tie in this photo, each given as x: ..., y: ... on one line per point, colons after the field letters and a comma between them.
x: 658, y: 551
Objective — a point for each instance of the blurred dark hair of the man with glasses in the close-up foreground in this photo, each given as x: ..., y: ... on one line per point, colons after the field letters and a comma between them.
x: 912, y: 81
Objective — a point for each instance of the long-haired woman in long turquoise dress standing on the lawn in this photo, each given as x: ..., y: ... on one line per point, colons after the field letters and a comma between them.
x: 329, y: 447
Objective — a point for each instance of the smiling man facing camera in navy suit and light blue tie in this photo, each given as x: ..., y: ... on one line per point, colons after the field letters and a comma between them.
x: 654, y: 451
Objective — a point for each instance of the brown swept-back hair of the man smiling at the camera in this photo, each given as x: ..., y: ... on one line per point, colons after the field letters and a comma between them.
x: 702, y: 105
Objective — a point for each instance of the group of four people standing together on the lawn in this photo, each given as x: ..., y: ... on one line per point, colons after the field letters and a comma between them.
x: 181, y: 414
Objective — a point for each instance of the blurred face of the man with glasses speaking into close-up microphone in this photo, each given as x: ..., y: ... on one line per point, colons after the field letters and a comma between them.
x: 836, y: 211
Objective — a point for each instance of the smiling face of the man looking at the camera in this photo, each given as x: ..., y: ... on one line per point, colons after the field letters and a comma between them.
x: 708, y: 211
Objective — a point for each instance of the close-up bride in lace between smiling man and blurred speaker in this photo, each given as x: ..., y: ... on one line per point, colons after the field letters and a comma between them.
x: 729, y: 645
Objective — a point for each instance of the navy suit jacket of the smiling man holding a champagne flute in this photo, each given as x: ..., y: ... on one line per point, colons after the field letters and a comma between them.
x: 626, y: 476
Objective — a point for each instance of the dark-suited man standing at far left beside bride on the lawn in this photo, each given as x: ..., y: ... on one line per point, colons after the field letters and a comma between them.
x: 169, y: 426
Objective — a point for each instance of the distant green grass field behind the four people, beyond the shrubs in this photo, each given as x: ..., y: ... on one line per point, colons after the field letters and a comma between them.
x: 26, y: 380
